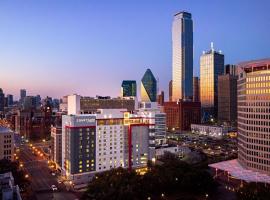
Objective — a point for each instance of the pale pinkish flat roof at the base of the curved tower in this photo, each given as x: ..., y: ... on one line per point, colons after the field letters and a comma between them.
x: 235, y: 169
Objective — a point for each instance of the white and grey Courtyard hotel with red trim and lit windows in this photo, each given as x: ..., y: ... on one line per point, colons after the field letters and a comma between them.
x: 111, y: 138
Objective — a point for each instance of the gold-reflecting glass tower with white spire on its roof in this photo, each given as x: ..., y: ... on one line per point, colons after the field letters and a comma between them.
x: 211, y: 66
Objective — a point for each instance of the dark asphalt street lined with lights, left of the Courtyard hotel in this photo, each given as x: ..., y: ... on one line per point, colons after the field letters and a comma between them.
x: 41, y: 178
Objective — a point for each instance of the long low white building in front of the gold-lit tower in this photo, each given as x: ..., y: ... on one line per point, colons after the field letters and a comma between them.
x: 209, y: 130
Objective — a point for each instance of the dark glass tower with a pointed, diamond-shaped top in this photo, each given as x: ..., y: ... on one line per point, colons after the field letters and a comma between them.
x: 148, y: 87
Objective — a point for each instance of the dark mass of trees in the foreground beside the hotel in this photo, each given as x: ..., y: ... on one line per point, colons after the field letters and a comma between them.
x: 173, y: 177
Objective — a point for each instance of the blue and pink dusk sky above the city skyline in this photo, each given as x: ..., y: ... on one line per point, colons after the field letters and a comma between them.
x: 88, y: 47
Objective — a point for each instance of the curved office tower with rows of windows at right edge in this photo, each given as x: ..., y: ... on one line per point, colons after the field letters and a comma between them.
x: 253, y: 114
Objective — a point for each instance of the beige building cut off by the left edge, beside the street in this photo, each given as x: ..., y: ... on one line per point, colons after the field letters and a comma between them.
x: 6, y: 143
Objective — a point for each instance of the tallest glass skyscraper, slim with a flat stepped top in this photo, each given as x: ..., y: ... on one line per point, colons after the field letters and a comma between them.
x: 182, y: 56
